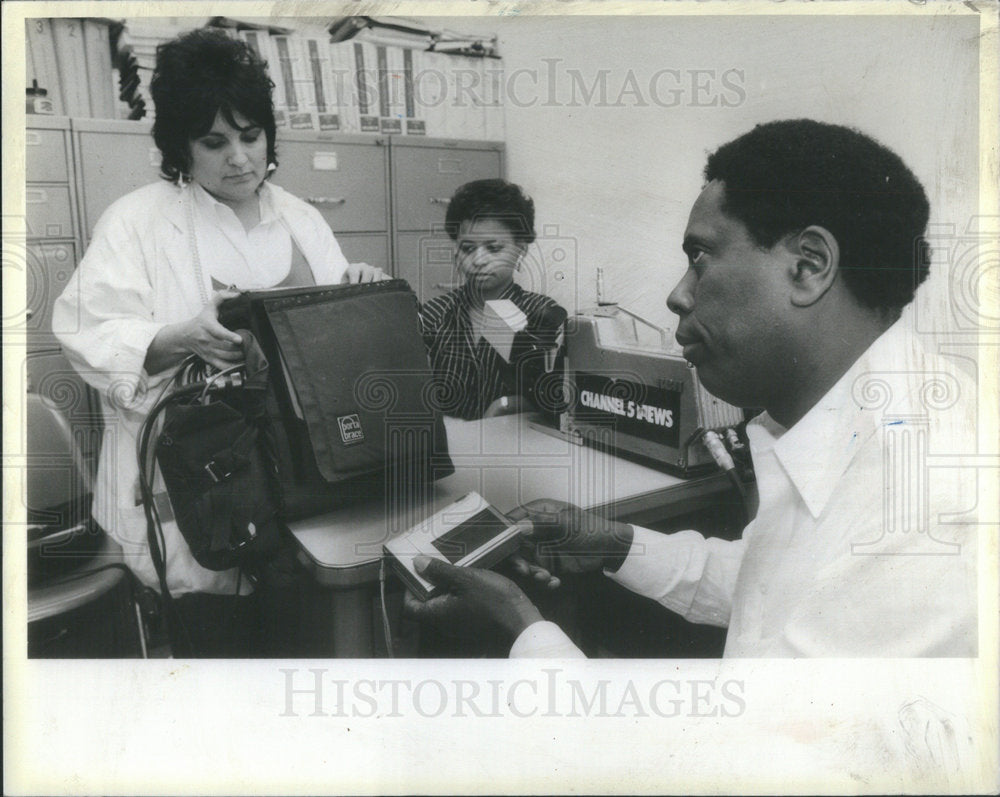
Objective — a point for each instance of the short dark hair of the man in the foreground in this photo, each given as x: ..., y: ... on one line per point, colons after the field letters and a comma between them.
x: 783, y: 176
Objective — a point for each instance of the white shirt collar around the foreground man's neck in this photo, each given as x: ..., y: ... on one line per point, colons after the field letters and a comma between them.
x: 817, y: 450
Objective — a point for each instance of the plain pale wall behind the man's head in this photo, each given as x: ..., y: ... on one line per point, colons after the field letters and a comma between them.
x: 613, y: 180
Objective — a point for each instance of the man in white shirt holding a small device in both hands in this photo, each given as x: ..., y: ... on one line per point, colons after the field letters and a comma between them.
x: 803, y: 248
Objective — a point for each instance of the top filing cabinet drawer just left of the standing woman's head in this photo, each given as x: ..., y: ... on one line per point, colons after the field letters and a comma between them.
x: 113, y: 163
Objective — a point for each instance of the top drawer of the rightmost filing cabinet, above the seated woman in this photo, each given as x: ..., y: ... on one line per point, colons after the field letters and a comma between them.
x: 424, y: 179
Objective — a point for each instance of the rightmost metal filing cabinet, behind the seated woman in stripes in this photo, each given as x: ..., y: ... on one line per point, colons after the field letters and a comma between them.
x: 425, y: 174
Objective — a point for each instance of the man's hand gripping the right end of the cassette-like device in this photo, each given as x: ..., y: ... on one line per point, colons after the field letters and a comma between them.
x: 566, y: 539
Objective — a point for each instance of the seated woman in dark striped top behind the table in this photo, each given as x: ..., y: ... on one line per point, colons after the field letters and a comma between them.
x: 492, y: 224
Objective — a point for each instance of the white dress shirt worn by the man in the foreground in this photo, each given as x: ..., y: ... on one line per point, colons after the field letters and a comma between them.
x: 864, y: 543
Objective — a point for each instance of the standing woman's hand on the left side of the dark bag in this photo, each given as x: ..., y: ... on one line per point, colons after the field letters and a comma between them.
x: 202, y: 335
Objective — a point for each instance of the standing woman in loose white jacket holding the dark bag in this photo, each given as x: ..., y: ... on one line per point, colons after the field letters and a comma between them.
x: 146, y: 293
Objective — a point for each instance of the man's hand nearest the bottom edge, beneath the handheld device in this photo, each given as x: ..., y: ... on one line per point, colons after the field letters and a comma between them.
x: 472, y: 600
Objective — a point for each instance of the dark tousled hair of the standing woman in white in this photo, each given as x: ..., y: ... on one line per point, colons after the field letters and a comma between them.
x: 198, y: 75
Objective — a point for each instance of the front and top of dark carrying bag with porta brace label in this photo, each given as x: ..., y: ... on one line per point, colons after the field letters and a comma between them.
x: 350, y: 389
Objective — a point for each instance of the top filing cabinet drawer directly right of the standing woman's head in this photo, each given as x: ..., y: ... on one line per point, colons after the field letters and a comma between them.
x: 345, y: 182
